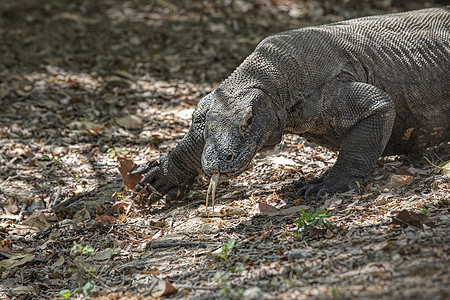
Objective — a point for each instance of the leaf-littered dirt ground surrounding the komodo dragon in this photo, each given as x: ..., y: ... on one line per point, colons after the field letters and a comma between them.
x: 83, y: 81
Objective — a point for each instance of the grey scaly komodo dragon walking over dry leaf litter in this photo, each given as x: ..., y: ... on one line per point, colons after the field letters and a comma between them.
x: 366, y: 87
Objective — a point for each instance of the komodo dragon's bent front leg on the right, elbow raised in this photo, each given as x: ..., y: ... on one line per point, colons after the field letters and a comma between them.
x: 365, y: 117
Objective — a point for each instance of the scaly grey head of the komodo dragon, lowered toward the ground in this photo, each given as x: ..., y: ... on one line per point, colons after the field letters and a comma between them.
x: 236, y: 127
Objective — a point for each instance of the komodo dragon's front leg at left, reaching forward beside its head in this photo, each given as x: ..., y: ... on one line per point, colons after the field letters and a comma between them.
x: 172, y: 172
